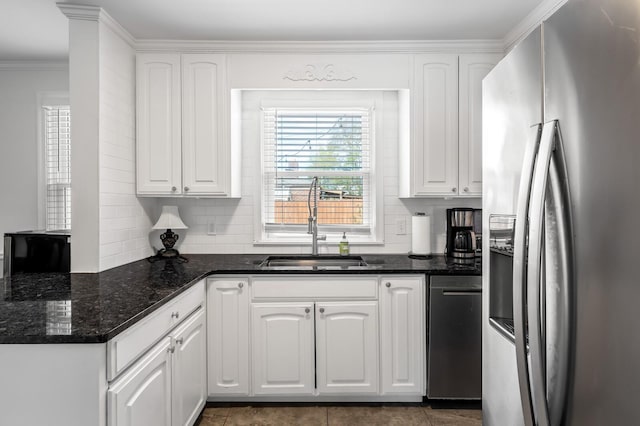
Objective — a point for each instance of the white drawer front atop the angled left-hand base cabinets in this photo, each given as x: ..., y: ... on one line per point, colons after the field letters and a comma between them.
x: 126, y: 347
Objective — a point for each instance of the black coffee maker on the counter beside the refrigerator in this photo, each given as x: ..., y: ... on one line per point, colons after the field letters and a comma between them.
x: 462, y: 225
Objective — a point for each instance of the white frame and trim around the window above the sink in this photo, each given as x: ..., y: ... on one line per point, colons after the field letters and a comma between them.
x: 343, y: 100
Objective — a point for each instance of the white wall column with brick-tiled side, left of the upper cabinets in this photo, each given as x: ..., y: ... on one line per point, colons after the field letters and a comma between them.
x: 109, y: 224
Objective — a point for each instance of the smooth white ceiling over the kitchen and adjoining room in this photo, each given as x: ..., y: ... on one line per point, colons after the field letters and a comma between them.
x: 37, y: 30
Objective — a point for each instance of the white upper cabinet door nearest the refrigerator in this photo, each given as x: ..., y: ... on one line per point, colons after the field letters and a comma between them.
x: 473, y: 68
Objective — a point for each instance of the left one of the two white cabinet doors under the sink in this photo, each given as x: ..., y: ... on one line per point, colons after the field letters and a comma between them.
x: 282, y: 339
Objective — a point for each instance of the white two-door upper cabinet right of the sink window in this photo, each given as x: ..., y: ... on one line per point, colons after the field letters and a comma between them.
x: 445, y: 147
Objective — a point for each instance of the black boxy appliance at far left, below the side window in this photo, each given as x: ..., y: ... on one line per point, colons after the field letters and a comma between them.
x: 37, y: 251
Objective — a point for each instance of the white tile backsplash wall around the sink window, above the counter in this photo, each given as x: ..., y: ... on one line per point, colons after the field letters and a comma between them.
x: 234, y: 219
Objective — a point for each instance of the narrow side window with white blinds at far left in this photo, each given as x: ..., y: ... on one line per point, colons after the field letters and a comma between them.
x: 57, y: 158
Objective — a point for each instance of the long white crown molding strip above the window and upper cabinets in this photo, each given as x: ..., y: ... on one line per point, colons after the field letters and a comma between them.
x: 326, y: 47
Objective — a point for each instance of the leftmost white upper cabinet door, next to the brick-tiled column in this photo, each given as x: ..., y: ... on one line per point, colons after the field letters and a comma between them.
x: 158, y: 151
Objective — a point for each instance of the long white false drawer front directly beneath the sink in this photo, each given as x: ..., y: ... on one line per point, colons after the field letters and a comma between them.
x: 305, y: 287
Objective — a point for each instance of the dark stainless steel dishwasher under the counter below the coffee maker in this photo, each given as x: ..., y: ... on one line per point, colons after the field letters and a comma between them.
x: 455, y: 338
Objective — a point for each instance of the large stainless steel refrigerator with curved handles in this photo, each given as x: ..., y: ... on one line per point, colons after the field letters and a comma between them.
x: 561, y: 220
